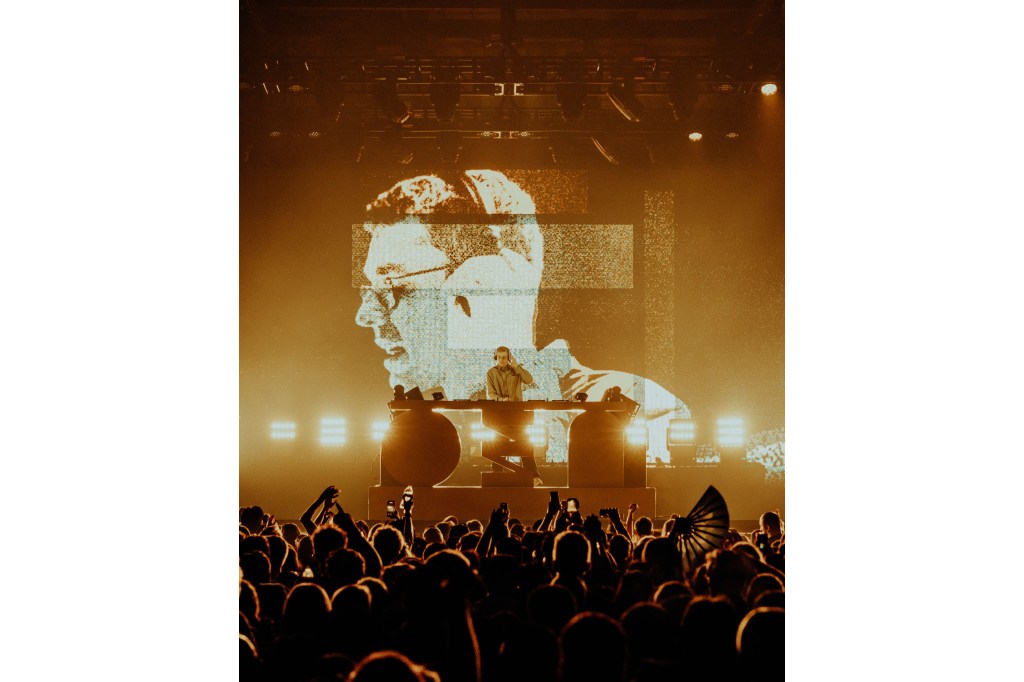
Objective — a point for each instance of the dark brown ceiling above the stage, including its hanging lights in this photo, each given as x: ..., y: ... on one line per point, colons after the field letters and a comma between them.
x: 353, y: 73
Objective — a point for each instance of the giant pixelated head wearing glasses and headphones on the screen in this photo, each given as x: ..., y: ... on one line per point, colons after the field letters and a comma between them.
x: 442, y: 292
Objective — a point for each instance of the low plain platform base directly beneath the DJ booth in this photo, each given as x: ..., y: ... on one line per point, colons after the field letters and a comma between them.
x: 527, y: 504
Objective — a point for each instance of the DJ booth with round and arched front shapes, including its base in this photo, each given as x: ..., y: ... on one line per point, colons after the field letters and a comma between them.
x: 422, y: 449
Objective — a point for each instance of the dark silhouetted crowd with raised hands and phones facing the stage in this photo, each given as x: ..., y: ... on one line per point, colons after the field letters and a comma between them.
x: 564, y: 599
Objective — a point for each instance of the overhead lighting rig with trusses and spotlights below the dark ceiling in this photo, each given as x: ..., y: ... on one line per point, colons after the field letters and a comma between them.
x: 620, y: 104
